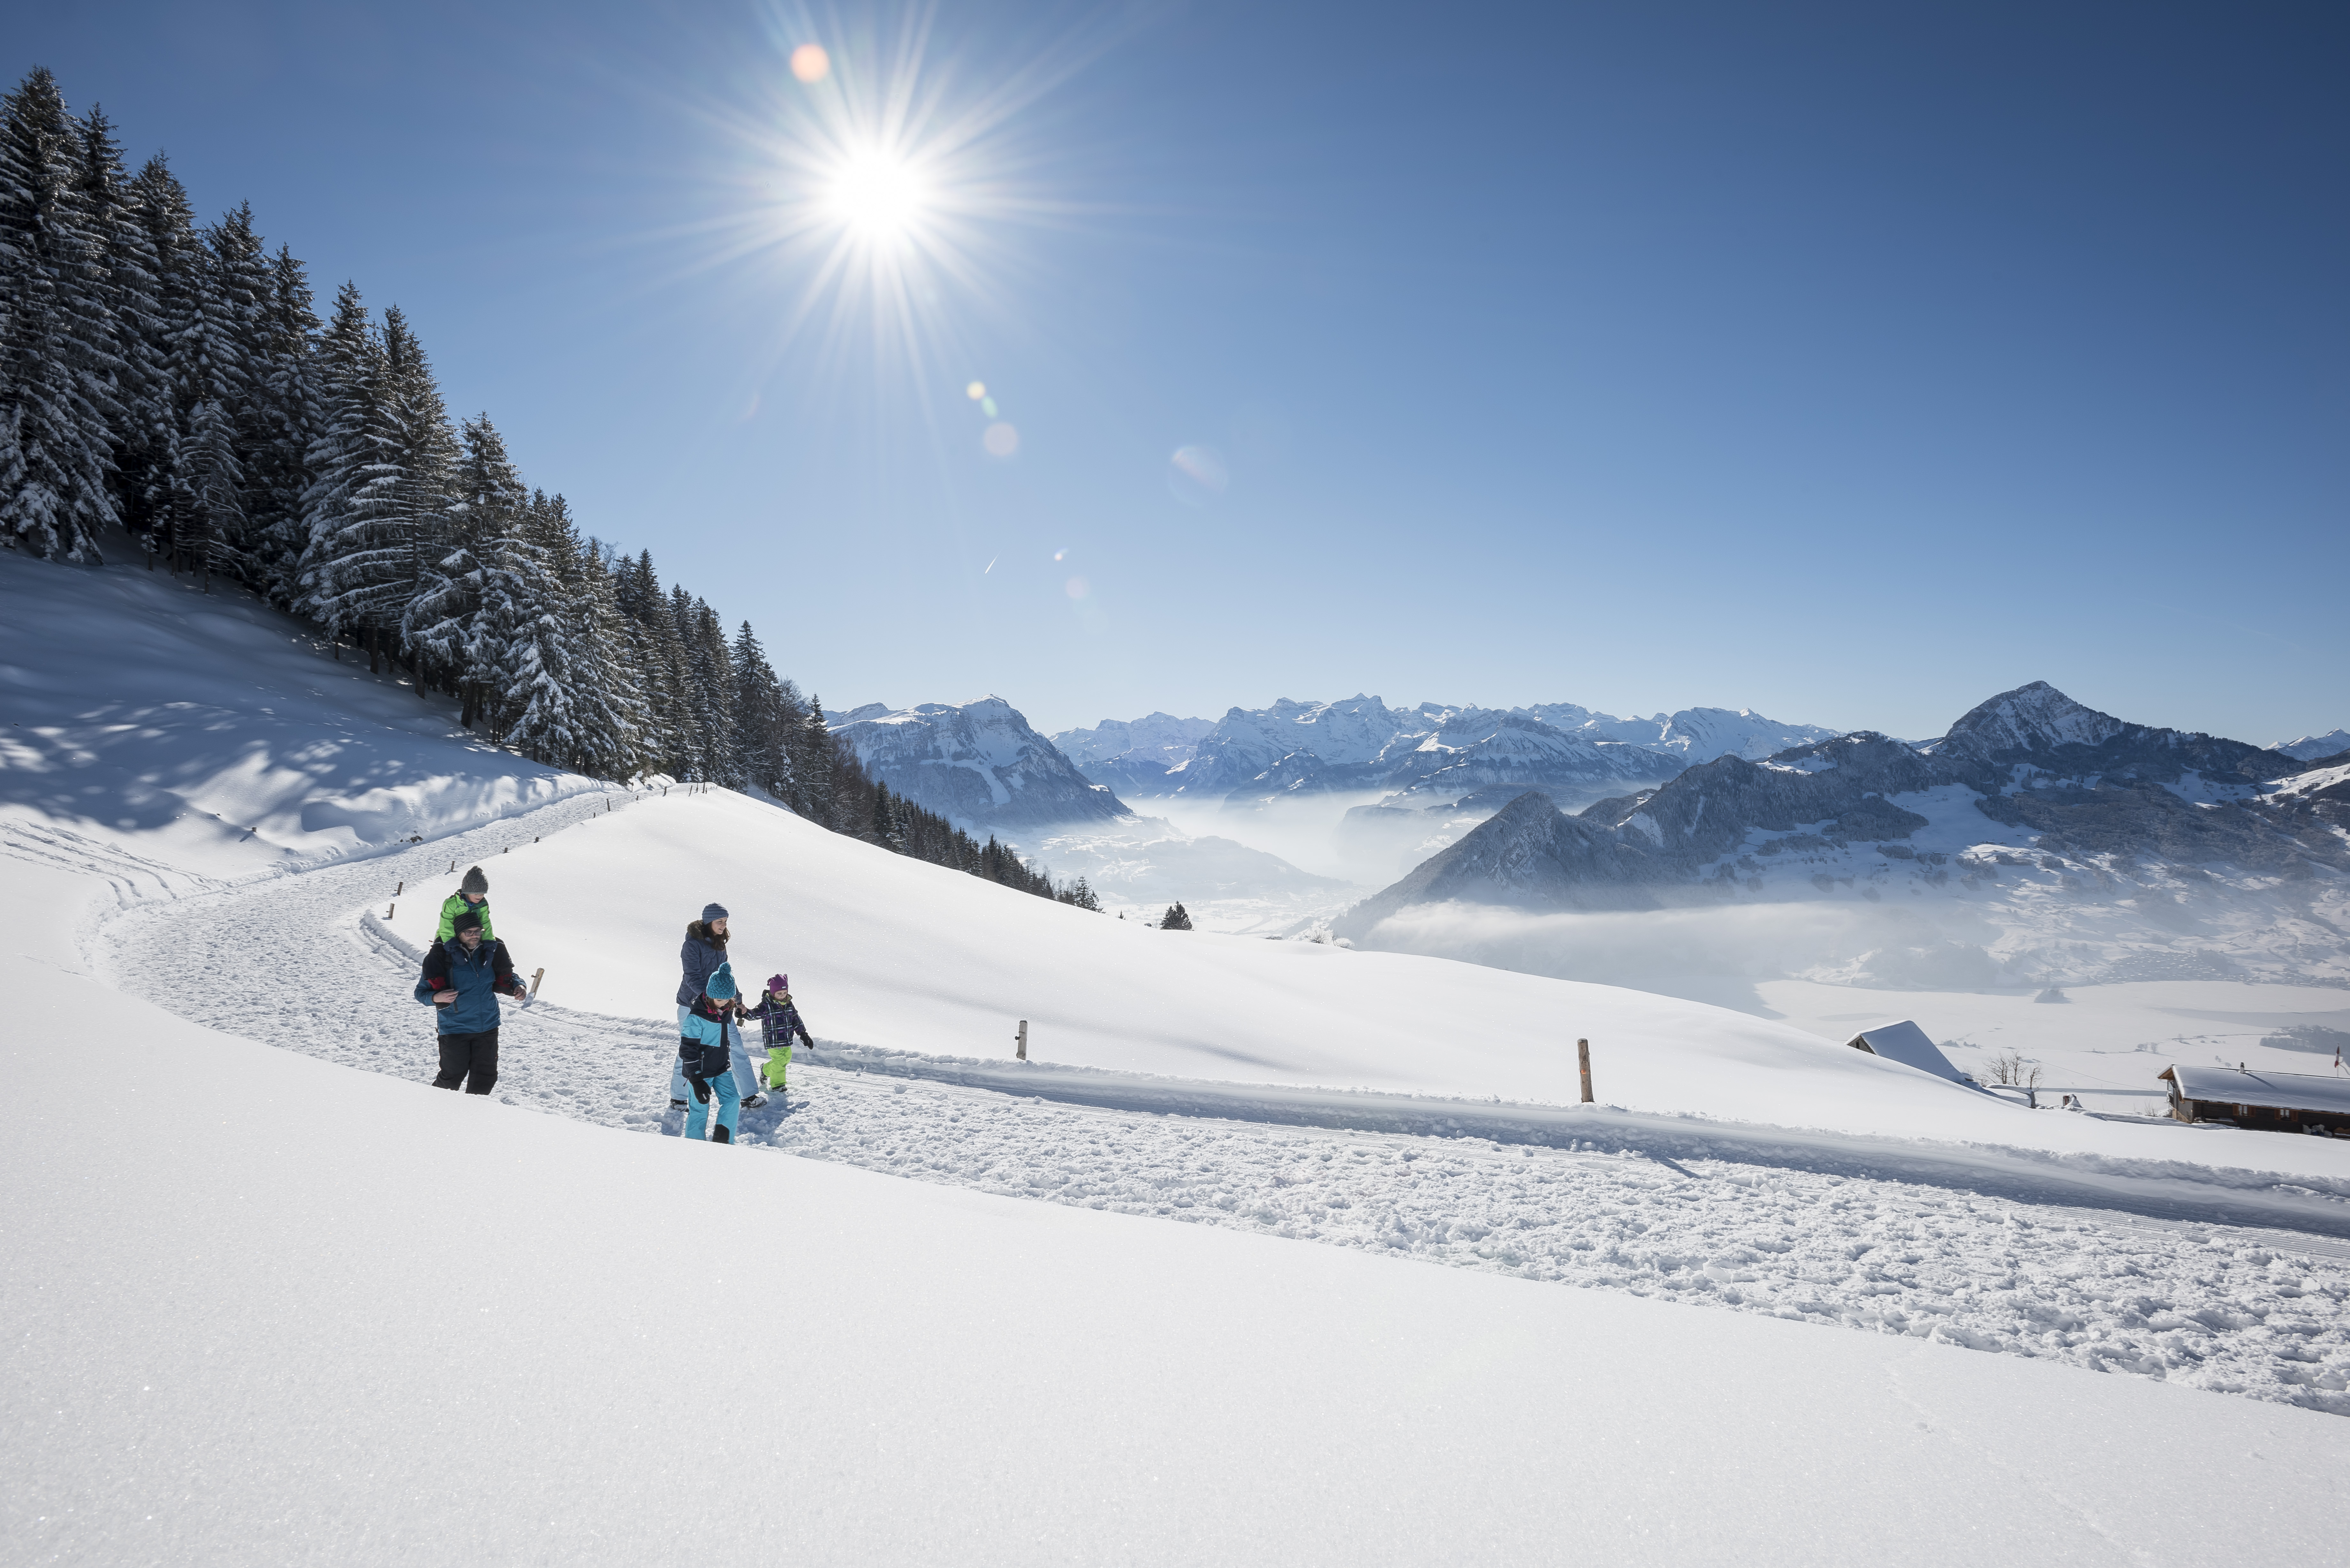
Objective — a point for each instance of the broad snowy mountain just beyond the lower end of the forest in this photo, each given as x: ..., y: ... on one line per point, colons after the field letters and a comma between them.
x: 981, y: 765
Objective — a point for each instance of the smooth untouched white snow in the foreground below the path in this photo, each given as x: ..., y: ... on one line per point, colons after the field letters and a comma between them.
x: 267, y: 1313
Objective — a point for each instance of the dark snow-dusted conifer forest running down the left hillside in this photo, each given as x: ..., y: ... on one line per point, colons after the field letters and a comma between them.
x: 175, y: 380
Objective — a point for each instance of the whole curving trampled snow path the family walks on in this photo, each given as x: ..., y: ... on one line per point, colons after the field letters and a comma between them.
x: 295, y: 963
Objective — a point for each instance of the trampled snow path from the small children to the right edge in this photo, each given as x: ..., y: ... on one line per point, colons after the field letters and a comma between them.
x: 2215, y: 1308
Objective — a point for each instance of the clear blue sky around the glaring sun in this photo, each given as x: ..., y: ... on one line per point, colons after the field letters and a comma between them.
x: 1841, y: 361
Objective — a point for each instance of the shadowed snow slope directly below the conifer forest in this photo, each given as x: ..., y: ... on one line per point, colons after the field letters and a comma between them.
x: 215, y: 735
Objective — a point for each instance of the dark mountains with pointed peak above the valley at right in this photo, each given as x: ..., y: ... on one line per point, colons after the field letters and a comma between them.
x: 2064, y: 840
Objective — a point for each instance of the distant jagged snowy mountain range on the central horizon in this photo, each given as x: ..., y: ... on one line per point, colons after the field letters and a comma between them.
x: 1425, y: 756
